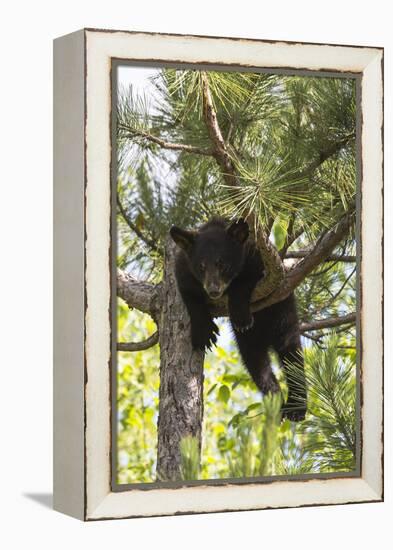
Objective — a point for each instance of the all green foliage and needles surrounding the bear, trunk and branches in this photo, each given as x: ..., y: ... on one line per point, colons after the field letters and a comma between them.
x: 292, y: 141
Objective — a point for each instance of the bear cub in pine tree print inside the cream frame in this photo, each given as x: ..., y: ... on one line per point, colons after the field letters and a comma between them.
x: 235, y: 296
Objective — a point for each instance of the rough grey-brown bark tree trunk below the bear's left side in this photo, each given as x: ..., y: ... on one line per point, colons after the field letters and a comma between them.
x: 181, y: 376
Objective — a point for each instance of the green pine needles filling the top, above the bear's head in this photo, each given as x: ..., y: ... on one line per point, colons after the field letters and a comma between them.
x: 291, y: 140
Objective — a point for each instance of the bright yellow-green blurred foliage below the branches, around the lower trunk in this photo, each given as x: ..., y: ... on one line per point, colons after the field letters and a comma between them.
x: 242, y: 434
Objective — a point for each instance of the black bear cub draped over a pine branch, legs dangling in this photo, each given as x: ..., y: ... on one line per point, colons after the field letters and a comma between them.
x: 217, y: 259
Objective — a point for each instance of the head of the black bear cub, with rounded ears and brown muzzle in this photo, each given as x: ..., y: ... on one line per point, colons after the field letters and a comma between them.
x: 215, y: 253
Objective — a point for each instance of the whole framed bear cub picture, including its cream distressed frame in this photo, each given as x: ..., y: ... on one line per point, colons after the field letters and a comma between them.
x: 218, y: 274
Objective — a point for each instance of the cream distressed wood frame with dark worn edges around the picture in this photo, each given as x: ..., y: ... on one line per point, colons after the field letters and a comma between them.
x: 82, y: 251
